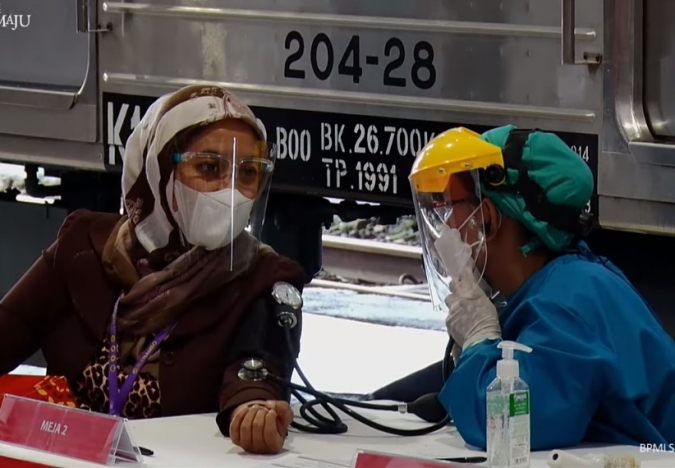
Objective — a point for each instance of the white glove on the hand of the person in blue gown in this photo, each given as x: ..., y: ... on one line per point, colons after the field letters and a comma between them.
x: 472, y: 317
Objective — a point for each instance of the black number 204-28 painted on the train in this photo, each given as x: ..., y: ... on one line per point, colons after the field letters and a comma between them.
x: 422, y: 72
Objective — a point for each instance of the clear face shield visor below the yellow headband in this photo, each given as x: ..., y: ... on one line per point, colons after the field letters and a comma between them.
x: 452, y: 232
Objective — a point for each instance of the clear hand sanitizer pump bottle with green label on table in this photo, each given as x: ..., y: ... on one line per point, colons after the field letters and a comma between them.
x: 508, y: 413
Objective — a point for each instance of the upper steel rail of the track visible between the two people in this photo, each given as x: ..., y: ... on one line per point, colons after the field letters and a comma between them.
x: 370, y: 262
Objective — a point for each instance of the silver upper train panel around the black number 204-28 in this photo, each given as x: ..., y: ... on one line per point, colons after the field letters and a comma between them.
x: 480, y: 49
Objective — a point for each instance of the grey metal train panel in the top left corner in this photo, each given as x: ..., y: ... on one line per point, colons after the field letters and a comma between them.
x: 48, y: 88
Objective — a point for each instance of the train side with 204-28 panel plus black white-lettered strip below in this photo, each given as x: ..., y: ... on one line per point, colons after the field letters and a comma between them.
x: 314, y: 70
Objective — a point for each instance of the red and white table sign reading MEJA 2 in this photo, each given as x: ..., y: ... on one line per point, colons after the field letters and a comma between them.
x: 66, y: 431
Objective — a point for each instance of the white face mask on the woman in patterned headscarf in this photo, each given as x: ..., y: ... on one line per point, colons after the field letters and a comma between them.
x: 211, y: 220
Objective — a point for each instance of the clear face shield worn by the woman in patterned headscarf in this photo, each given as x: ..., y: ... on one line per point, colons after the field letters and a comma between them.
x: 218, y: 192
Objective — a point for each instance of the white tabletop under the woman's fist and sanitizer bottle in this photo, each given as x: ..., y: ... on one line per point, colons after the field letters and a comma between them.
x: 194, y: 441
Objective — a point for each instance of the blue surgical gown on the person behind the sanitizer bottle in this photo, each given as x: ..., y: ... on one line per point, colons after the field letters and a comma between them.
x: 602, y: 368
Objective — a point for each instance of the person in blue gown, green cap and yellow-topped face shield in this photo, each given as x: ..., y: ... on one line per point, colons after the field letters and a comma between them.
x: 602, y: 368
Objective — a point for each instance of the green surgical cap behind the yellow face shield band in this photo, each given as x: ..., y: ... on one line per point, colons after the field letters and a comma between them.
x: 561, y: 173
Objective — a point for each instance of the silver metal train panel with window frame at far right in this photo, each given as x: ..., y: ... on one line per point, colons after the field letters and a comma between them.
x: 636, y: 171
